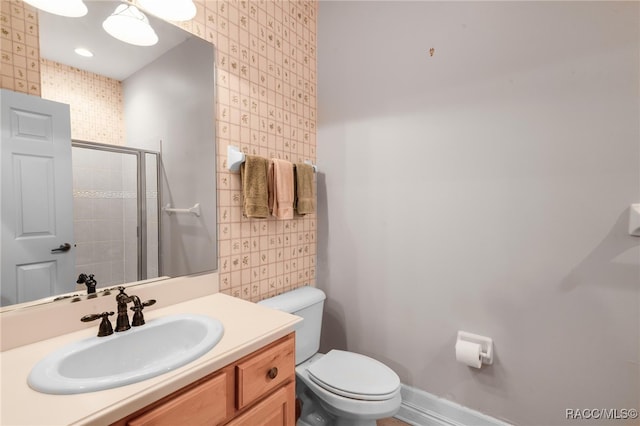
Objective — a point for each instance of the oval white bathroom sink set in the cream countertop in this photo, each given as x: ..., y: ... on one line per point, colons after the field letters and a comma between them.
x: 99, y: 363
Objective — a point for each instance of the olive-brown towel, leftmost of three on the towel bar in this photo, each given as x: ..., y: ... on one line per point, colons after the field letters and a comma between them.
x: 253, y: 174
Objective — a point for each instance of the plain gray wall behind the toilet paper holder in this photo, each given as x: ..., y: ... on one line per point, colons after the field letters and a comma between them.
x: 485, y: 188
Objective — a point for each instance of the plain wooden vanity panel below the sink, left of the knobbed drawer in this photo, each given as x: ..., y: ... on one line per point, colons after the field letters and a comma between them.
x: 204, y: 404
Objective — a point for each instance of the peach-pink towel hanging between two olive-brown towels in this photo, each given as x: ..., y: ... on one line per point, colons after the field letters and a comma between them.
x: 281, y: 193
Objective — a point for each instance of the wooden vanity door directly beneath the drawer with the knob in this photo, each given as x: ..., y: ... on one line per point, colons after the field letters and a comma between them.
x: 276, y: 410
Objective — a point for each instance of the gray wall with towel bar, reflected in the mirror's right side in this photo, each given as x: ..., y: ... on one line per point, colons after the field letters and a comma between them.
x: 169, y: 108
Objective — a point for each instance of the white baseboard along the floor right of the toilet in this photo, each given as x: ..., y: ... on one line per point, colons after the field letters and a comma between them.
x: 420, y: 408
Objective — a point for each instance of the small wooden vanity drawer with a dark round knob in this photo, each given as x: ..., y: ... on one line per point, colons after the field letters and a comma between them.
x: 265, y: 371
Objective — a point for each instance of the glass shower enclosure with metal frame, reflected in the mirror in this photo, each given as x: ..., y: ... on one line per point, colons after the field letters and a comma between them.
x: 116, y: 199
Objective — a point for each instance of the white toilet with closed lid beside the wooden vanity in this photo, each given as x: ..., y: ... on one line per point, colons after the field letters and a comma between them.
x: 339, y: 388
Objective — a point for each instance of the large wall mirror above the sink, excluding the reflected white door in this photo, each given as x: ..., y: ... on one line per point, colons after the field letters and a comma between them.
x: 146, y: 105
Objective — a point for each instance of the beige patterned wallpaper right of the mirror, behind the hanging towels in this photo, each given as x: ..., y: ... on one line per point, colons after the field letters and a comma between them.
x: 266, y: 105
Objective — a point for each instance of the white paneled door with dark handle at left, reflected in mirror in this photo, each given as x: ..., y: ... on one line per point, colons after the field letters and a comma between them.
x: 36, y: 207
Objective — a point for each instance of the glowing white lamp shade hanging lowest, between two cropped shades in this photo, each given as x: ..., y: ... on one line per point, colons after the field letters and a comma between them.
x: 130, y: 25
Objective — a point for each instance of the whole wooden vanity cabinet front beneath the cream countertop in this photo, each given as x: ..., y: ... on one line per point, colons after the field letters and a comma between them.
x: 258, y: 389
